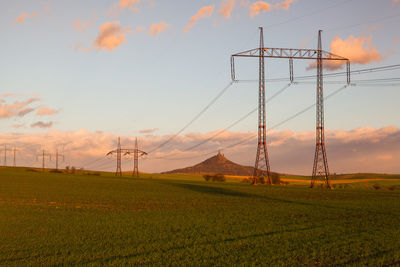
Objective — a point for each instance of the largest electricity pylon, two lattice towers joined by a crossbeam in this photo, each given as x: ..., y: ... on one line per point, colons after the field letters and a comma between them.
x: 320, y: 169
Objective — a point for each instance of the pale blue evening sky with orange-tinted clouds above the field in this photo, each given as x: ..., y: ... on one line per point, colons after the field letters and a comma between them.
x: 75, y: 75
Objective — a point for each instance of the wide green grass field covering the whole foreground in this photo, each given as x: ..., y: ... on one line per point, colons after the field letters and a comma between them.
x: 64, y: 219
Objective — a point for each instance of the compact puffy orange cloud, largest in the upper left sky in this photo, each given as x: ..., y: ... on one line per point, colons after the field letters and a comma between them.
x: 111, y: 36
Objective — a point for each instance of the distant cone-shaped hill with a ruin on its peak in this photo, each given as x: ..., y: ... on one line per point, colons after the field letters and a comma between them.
x: 216, y: 164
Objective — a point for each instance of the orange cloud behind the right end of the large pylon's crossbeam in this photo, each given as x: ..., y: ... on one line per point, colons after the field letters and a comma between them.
x: 359, y: 50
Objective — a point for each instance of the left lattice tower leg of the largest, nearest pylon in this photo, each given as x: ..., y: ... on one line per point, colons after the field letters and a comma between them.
x: 261, y: 166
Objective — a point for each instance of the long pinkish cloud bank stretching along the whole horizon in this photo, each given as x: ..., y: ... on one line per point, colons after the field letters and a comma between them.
x: 290, y: 152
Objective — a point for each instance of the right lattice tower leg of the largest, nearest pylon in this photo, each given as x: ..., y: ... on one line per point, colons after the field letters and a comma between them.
x: 320, y: 168
